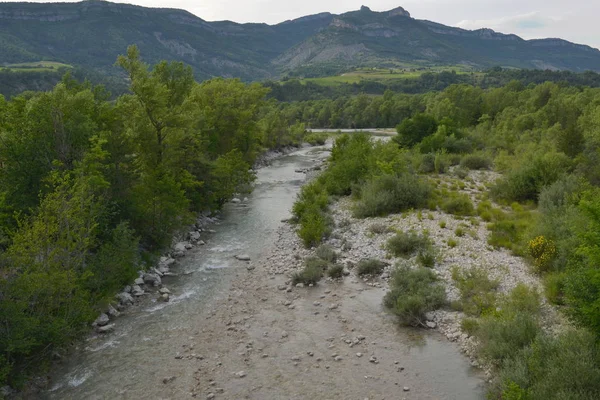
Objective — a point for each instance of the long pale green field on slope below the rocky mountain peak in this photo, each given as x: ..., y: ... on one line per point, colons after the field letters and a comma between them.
x: 380, y: 74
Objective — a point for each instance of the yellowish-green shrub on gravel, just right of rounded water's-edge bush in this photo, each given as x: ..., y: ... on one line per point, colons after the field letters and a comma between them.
x: 477, y: 290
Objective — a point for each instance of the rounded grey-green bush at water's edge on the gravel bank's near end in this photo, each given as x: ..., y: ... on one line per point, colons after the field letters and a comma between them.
x: 414, y: 292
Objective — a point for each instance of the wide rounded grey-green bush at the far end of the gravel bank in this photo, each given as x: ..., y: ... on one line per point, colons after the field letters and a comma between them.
x: 391, y: 194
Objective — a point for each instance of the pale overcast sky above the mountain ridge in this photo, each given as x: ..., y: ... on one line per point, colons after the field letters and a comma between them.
x: 574, y: 20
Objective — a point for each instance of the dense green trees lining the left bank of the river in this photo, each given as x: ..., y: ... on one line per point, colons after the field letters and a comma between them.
x: 92, y: 189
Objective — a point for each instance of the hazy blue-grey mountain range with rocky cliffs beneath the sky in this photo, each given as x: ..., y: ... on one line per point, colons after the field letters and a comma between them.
x: 91, y: 34
